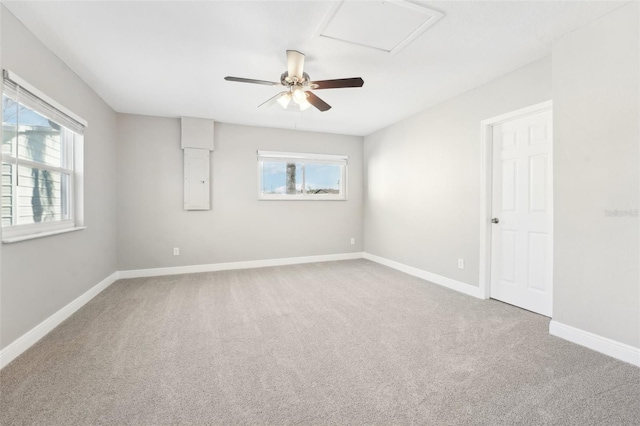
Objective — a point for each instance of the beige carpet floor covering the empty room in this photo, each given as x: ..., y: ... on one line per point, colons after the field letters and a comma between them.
x: 349, y: 342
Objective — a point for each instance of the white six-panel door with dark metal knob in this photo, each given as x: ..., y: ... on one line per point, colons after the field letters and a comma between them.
x: 522, y: 206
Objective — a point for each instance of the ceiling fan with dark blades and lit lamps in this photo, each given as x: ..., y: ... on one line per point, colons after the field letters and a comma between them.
x: 299, y: 85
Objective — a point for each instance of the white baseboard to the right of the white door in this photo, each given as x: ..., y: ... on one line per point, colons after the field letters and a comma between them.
x: 613, y: 348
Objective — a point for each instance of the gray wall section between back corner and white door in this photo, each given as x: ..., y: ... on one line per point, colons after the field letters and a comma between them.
x: 422, y: 202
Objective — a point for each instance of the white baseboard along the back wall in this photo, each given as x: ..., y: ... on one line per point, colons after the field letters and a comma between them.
x: 212, y: 267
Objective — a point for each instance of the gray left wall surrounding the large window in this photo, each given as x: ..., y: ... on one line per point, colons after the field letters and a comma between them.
x: 41, y: 276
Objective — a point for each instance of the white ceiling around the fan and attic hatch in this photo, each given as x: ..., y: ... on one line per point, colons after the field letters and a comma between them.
x: 169, y: 58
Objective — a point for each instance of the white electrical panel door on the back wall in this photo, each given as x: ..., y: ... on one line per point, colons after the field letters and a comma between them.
x: 196, y: 179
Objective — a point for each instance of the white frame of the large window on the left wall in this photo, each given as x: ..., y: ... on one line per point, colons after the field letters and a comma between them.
x: 74, y: 166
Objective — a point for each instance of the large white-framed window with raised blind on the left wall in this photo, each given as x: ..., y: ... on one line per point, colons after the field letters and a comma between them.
x: 41, y: 163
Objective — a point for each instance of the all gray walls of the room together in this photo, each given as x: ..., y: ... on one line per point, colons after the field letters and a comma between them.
x: 421, y: 196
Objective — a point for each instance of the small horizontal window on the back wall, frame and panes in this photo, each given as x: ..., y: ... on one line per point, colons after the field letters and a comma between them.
x: 298, y: 176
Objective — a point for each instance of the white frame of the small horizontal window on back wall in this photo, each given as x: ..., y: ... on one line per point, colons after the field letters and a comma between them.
x: 304, y: 158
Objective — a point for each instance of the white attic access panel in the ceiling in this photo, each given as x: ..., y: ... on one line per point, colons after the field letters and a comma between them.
x: 388, y: 26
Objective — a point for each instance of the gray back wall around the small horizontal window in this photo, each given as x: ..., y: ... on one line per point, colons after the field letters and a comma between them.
x: 151, y: 219
